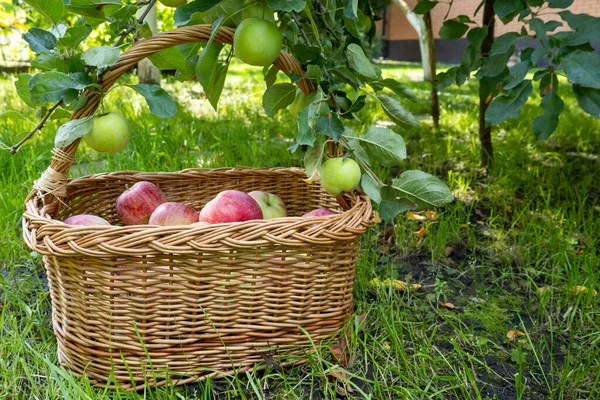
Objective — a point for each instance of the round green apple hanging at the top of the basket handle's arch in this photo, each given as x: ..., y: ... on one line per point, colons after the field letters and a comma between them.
x: 257, y: 42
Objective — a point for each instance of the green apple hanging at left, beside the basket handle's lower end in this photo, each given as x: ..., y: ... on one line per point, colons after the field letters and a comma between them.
x: 110, y: 133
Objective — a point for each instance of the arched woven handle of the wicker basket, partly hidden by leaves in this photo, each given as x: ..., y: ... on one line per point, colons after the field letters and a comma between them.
x: 53, y: 181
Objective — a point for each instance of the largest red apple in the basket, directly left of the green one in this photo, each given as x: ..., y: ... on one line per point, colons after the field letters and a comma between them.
x: 230, y: 206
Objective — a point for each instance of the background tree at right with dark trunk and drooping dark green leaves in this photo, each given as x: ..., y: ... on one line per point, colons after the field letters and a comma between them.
x: 552, y: 42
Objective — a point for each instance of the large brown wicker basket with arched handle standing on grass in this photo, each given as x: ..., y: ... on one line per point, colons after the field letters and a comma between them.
x: 142, y: 305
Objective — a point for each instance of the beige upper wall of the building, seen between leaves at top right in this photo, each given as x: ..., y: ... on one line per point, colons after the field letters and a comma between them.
x: 398, y: 28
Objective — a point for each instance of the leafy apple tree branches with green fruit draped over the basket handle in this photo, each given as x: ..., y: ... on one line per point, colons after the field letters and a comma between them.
x: 328, y: 37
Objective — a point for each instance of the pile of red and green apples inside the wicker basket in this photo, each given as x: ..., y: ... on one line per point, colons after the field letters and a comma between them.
x: 145, y: 203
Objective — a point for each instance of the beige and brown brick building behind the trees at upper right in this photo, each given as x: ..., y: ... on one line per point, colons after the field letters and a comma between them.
x: 402, y: 43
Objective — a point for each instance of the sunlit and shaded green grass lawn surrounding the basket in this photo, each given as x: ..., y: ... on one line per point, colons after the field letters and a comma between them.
x: 532, y: 223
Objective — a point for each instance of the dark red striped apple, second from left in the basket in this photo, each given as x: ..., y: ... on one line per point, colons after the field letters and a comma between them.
x: 136, y: 204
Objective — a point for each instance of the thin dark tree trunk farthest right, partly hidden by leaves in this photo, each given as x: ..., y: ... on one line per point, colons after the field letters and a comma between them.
x: 485, y: 133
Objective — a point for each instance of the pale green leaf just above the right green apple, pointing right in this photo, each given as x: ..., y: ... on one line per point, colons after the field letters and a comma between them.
x: 383, y: 145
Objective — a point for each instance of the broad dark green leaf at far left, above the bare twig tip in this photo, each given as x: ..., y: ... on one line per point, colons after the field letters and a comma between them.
x: 53, y: 86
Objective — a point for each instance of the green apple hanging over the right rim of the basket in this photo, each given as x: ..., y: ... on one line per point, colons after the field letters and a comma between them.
x: 339, y: 175
